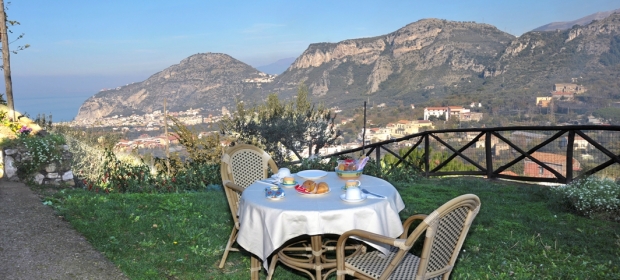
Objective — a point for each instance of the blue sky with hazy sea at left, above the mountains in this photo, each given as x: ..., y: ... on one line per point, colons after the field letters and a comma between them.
x: 78, y: 47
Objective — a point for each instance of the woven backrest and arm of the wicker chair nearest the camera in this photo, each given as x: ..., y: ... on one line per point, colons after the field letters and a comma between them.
x: 446, y: 229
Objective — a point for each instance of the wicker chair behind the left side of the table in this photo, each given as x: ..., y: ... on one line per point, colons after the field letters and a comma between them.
x: 241, y: 165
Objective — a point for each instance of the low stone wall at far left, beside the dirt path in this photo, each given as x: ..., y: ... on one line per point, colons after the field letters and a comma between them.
x: 52, y: 173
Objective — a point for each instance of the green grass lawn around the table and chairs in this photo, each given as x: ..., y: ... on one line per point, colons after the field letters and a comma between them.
x: 520, y: 232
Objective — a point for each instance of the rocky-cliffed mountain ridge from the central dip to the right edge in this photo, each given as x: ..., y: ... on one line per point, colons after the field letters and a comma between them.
x: 441, y: 62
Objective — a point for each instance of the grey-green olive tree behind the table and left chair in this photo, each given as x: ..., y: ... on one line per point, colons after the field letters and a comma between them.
x: 282, y: 127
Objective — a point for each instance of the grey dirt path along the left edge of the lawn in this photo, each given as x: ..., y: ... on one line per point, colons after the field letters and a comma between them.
x: 37, y: 244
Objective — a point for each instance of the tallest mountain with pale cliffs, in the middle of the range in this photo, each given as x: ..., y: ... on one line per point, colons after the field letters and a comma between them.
x: 408, y: 65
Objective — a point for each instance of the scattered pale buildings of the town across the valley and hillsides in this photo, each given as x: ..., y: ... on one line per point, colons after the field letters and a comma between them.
x: 153, y: 122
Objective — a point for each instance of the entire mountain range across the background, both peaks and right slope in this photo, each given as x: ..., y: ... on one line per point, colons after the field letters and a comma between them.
x: 431, y: 61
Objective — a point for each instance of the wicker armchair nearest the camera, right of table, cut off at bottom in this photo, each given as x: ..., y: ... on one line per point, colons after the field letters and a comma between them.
x: 445, y: 229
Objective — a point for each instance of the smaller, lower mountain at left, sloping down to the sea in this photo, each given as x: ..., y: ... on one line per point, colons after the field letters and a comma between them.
x: 209, y: 80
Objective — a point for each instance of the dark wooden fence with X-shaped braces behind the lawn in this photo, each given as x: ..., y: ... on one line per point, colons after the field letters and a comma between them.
x: 557, y: 154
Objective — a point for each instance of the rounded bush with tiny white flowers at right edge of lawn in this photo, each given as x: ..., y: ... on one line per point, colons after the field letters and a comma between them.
x: 592, y: 196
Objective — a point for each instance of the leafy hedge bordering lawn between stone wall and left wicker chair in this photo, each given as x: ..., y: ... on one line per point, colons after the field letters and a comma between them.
x: 101, y: 170
